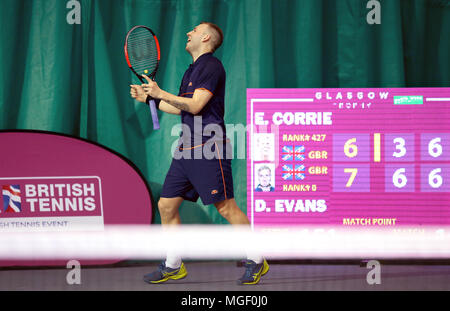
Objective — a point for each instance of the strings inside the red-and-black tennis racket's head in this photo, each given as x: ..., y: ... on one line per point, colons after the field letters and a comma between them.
x: 142, y: 51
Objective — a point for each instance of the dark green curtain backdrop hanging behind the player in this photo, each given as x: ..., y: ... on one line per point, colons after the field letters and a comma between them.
x: 73, y: 79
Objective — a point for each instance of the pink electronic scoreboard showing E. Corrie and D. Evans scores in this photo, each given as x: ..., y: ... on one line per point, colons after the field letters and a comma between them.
x: 348, y: 157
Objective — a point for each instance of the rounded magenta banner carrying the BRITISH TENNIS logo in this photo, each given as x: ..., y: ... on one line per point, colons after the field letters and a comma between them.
x: 58, y: 183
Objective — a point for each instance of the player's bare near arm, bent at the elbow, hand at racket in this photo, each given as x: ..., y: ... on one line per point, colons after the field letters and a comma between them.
x: 193, y: 105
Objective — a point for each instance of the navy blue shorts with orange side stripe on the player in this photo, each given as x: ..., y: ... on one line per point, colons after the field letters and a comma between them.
x: 191, y: 177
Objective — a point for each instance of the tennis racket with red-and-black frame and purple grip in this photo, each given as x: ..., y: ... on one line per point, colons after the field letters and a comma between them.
x: 143, y: 54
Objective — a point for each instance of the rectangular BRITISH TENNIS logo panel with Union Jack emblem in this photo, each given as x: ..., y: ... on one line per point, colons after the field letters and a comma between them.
x: 48, y: 203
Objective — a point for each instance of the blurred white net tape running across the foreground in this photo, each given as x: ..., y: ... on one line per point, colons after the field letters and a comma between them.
x: 220, y: 241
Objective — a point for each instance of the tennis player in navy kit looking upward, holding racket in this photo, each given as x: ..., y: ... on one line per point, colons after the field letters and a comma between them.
x: 203, y: 169
